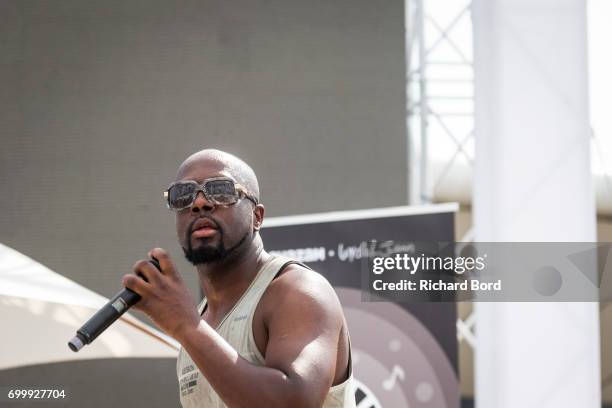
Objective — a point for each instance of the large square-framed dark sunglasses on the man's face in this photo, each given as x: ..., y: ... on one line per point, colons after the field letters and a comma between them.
x: 218, y: 191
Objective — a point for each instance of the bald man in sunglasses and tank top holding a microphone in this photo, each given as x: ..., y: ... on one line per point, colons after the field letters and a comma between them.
x: 270, y: 332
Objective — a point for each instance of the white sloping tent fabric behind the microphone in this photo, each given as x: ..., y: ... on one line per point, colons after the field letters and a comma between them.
x: 41, y: 310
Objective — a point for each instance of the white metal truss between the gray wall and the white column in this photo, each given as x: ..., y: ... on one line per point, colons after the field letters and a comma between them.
x: 439, y: 92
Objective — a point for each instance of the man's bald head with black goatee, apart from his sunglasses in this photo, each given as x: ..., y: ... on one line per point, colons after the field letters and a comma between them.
x: 211, y: 233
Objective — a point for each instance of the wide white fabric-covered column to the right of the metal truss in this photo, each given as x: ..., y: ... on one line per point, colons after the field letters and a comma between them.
x: 533, y: 183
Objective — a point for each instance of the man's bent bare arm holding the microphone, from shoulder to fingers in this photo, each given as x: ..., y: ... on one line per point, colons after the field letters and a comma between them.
x: 304, y: 321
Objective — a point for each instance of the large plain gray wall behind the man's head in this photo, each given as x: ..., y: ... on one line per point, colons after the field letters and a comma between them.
x: 101, y: 100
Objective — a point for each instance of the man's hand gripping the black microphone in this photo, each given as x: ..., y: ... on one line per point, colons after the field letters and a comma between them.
x: 165, y: 298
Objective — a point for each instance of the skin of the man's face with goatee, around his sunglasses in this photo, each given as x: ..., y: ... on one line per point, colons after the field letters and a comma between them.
x: 231, y: 228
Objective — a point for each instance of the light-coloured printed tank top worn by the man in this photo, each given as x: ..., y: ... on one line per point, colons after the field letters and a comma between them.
x: 237, y: 329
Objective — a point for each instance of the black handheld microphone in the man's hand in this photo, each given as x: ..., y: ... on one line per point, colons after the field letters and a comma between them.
x: 106, y: 316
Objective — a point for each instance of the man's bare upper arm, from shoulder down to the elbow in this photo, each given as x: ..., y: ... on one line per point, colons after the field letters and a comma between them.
x: 303, y: 333
